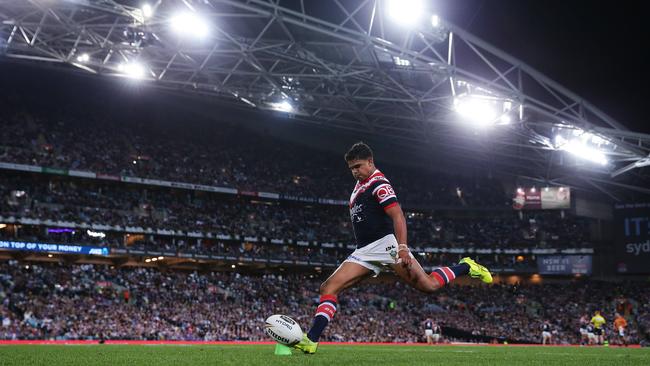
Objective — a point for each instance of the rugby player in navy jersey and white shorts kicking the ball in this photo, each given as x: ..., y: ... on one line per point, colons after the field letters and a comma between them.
x: 380, y: 233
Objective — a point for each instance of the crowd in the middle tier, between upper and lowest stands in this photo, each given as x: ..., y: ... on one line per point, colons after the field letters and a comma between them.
x: 82, y: 201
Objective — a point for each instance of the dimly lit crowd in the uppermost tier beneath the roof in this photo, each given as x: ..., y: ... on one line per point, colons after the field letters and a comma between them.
x: 219, y: 155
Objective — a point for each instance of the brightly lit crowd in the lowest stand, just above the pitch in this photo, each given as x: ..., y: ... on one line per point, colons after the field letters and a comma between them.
x: 61, y: 301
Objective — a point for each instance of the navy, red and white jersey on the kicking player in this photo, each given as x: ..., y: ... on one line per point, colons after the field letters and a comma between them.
x: 368, y: 204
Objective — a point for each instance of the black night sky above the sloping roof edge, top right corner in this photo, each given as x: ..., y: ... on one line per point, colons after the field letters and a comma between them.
x: 595, y: 49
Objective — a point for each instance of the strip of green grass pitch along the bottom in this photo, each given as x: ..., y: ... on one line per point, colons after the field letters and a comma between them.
x: 329, y: 355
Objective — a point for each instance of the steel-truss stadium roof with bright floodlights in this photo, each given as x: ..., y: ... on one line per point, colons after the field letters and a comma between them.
x: 348, y: 65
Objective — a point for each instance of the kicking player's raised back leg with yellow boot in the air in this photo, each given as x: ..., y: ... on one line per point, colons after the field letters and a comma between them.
x: 415, y: 276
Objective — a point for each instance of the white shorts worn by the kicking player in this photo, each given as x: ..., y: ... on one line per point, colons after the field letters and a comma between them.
x: 376, y: 255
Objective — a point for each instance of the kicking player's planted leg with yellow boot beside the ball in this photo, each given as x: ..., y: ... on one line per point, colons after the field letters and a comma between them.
x: 345, y: 276
